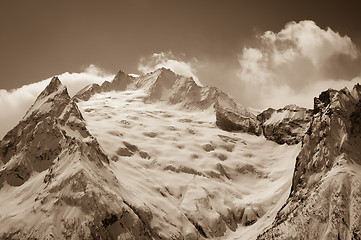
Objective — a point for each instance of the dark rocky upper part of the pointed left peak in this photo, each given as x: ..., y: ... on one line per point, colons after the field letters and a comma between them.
x: 52, y: 124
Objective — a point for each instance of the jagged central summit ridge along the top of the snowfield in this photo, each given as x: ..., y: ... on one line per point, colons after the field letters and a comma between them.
x: 165, y: 85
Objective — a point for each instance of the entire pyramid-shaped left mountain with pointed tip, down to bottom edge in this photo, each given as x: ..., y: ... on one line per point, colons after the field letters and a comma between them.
x: 54, y: 183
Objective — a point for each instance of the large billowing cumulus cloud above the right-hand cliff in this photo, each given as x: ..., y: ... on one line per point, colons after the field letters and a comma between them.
x: 295, y: 65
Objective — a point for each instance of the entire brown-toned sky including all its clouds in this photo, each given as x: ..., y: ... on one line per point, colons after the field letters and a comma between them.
x: 262, y: 53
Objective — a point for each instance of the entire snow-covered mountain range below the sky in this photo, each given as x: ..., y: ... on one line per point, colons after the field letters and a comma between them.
x: 159, y: 157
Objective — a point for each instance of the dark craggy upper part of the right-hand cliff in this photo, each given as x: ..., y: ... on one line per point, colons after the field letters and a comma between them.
x: 332, y: 127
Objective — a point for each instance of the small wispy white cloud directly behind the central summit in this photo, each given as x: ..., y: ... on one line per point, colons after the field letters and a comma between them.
x: 170, y: 61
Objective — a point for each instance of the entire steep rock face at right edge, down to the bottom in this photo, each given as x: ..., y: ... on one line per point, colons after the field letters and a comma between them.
x: 325, y: 199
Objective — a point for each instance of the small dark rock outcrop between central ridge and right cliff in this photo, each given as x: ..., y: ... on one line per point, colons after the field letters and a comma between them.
x: 285, y: 125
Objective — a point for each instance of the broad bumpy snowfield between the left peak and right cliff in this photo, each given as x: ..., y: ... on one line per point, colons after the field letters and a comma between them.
x: 180, y: 180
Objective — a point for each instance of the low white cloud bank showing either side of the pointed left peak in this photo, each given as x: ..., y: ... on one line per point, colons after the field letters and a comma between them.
x: 15, y: 103
